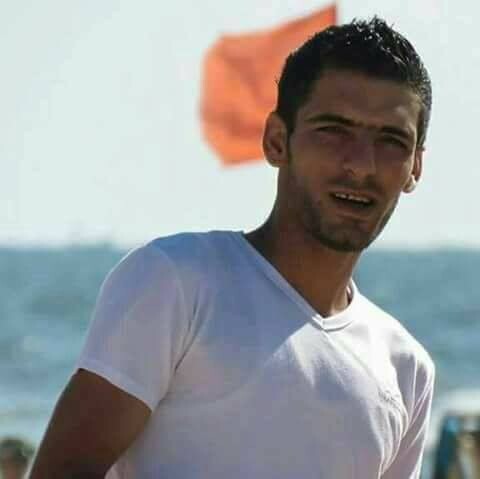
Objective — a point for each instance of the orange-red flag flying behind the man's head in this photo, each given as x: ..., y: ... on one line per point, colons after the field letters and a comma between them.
x: 239, y: 88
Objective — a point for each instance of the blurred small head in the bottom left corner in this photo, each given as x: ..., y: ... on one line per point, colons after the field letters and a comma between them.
x: 15, y: 456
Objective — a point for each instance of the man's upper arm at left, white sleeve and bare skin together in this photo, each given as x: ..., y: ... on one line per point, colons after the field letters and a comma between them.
x: 134, y: 342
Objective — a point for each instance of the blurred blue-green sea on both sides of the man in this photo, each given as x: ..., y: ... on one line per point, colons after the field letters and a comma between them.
x: 47, y: 295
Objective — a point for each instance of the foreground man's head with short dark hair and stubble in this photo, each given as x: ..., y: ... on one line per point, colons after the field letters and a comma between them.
x: 348, y: 132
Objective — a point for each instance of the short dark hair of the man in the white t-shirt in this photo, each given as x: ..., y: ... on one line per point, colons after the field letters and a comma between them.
x: 370, y: 47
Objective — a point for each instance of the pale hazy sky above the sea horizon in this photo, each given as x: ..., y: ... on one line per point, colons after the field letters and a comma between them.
x: 100, y: 137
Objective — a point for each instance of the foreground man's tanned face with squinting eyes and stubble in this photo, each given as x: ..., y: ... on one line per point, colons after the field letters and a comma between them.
x: 351, y: 154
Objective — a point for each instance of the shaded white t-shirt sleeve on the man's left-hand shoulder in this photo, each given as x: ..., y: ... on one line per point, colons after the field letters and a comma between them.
x: 137, y: 332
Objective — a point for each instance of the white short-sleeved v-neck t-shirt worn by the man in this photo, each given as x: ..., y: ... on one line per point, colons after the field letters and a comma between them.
x: 245, y: 380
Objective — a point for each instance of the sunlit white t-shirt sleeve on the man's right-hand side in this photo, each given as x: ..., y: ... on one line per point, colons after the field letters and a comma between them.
x: 408, y: 461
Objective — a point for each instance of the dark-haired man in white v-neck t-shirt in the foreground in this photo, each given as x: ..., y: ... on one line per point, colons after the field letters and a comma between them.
x: 254, y: 355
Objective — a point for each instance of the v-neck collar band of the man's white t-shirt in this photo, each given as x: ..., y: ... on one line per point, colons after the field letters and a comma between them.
x: 336, y: 321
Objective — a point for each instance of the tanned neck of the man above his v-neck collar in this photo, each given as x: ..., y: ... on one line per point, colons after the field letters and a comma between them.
x: 319, y: 274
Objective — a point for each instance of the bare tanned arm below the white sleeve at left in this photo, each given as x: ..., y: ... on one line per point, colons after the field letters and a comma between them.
x: 93, y: 423
